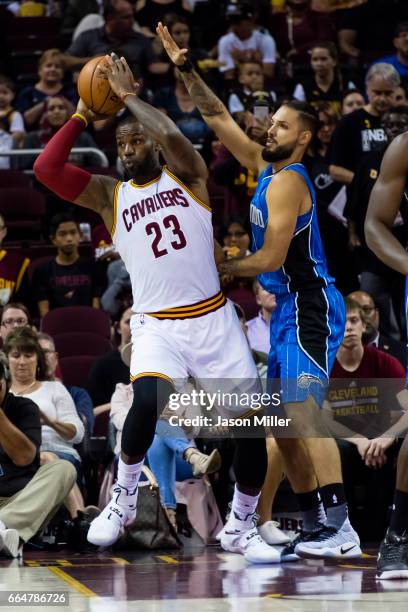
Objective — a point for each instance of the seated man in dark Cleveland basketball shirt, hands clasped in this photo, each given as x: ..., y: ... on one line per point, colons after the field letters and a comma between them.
x: 364, y: 413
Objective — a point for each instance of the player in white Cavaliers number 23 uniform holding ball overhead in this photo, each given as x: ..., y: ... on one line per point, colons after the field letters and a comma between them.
x: 160, y: 222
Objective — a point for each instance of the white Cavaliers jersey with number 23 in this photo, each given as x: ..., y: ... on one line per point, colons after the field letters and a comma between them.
x: 164, y: 236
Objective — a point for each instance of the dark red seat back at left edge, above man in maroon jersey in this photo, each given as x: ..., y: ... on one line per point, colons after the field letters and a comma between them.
x: 23, y: 209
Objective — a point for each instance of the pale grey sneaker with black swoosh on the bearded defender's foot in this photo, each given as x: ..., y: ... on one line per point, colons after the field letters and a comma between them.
x: 331, y: 543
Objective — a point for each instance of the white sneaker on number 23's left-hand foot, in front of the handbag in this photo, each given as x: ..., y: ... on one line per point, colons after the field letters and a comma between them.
x: 121, y: 511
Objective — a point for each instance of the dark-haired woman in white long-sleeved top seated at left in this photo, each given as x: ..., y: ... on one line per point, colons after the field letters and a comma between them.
x: 61, y: 426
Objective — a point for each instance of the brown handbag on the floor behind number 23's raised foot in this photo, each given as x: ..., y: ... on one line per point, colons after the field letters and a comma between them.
x: 151, y: 528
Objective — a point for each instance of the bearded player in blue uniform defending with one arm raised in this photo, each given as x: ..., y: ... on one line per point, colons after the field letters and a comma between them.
x: 308, y: 326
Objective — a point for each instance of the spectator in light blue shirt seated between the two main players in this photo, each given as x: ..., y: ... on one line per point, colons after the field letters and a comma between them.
x: 258, y: 329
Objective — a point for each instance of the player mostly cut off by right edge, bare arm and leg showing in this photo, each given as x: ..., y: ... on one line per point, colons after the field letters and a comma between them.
x: 389, y: 191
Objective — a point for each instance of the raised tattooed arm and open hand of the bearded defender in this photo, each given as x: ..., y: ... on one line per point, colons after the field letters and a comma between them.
x: 214, y: 113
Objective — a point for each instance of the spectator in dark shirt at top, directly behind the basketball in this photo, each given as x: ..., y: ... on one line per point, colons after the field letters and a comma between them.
x: 117, y: 35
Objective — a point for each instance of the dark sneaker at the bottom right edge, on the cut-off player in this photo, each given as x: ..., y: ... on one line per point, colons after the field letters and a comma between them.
x: 392, y: 561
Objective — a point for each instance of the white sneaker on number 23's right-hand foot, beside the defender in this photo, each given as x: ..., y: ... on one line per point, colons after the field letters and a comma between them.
x: 242, y: 537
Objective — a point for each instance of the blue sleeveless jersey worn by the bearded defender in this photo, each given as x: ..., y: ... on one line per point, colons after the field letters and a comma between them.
x: 305, y: 266
